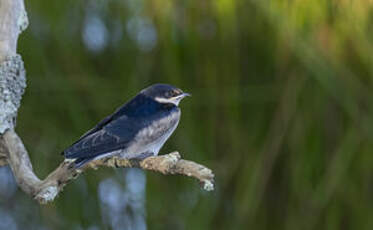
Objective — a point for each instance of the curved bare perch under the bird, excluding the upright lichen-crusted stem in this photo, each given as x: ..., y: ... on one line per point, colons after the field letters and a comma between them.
x: 46, y: 190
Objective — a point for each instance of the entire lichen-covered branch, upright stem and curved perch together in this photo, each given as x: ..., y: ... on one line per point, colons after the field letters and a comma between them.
x: 13, y: 20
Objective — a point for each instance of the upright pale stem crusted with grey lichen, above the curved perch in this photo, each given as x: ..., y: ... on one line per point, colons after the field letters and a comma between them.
x: 13, y: 20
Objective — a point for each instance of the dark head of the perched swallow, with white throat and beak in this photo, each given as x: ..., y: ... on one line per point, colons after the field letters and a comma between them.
x: 164, y: 93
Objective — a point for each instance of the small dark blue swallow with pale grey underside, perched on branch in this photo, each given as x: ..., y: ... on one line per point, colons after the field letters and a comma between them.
x: 136, y: 130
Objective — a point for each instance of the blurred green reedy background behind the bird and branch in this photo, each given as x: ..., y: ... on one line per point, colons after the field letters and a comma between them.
x: 282, y: 111
